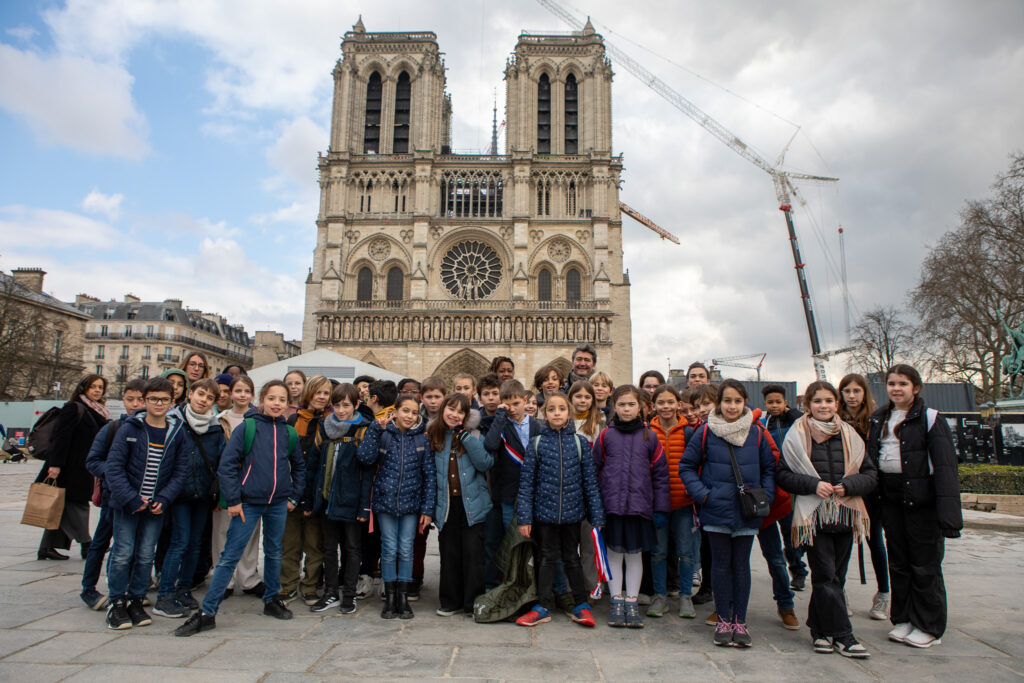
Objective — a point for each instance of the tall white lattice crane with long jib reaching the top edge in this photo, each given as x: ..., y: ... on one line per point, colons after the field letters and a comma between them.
x: 783, y: 181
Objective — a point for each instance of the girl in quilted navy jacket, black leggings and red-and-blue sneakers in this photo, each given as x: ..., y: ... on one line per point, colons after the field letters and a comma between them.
x: 558, y: 489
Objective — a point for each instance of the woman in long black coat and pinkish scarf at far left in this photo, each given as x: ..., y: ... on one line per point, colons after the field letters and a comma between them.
x: 77, y: 425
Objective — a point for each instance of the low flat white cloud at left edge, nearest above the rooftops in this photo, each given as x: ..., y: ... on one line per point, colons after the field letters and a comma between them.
x: 52, y: 230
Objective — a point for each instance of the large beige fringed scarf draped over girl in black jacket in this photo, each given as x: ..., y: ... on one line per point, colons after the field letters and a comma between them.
x: 812, y: 511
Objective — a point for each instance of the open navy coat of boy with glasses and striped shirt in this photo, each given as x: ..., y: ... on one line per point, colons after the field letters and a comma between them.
x: 126, y: 464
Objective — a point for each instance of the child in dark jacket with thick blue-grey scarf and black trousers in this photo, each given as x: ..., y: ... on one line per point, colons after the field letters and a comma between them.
x: 343, y: 497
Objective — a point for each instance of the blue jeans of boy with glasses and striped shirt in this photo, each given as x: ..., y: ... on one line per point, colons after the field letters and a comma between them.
x: 136, y: 539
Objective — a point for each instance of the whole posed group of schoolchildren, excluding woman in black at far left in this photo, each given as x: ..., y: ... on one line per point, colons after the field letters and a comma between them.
x: 646, y: 492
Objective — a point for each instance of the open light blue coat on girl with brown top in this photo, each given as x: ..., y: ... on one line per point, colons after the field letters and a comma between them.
x: 474, y: 465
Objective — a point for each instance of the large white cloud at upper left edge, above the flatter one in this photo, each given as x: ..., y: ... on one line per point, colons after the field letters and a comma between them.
x: 73, y: 101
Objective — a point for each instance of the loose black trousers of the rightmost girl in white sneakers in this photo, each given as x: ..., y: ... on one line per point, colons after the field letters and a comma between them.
x: 916, y: 550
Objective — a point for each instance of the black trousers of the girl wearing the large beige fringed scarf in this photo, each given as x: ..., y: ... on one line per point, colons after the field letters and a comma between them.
x: 829, y: 560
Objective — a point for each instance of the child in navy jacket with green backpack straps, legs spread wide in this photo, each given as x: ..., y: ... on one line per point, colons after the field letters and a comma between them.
x: 263, y: 477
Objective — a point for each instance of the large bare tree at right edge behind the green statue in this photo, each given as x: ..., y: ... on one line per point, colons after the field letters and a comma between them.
x: 973, y: 273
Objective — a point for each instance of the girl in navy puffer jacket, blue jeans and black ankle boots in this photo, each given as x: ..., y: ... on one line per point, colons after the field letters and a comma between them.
x: 404, y: 492
